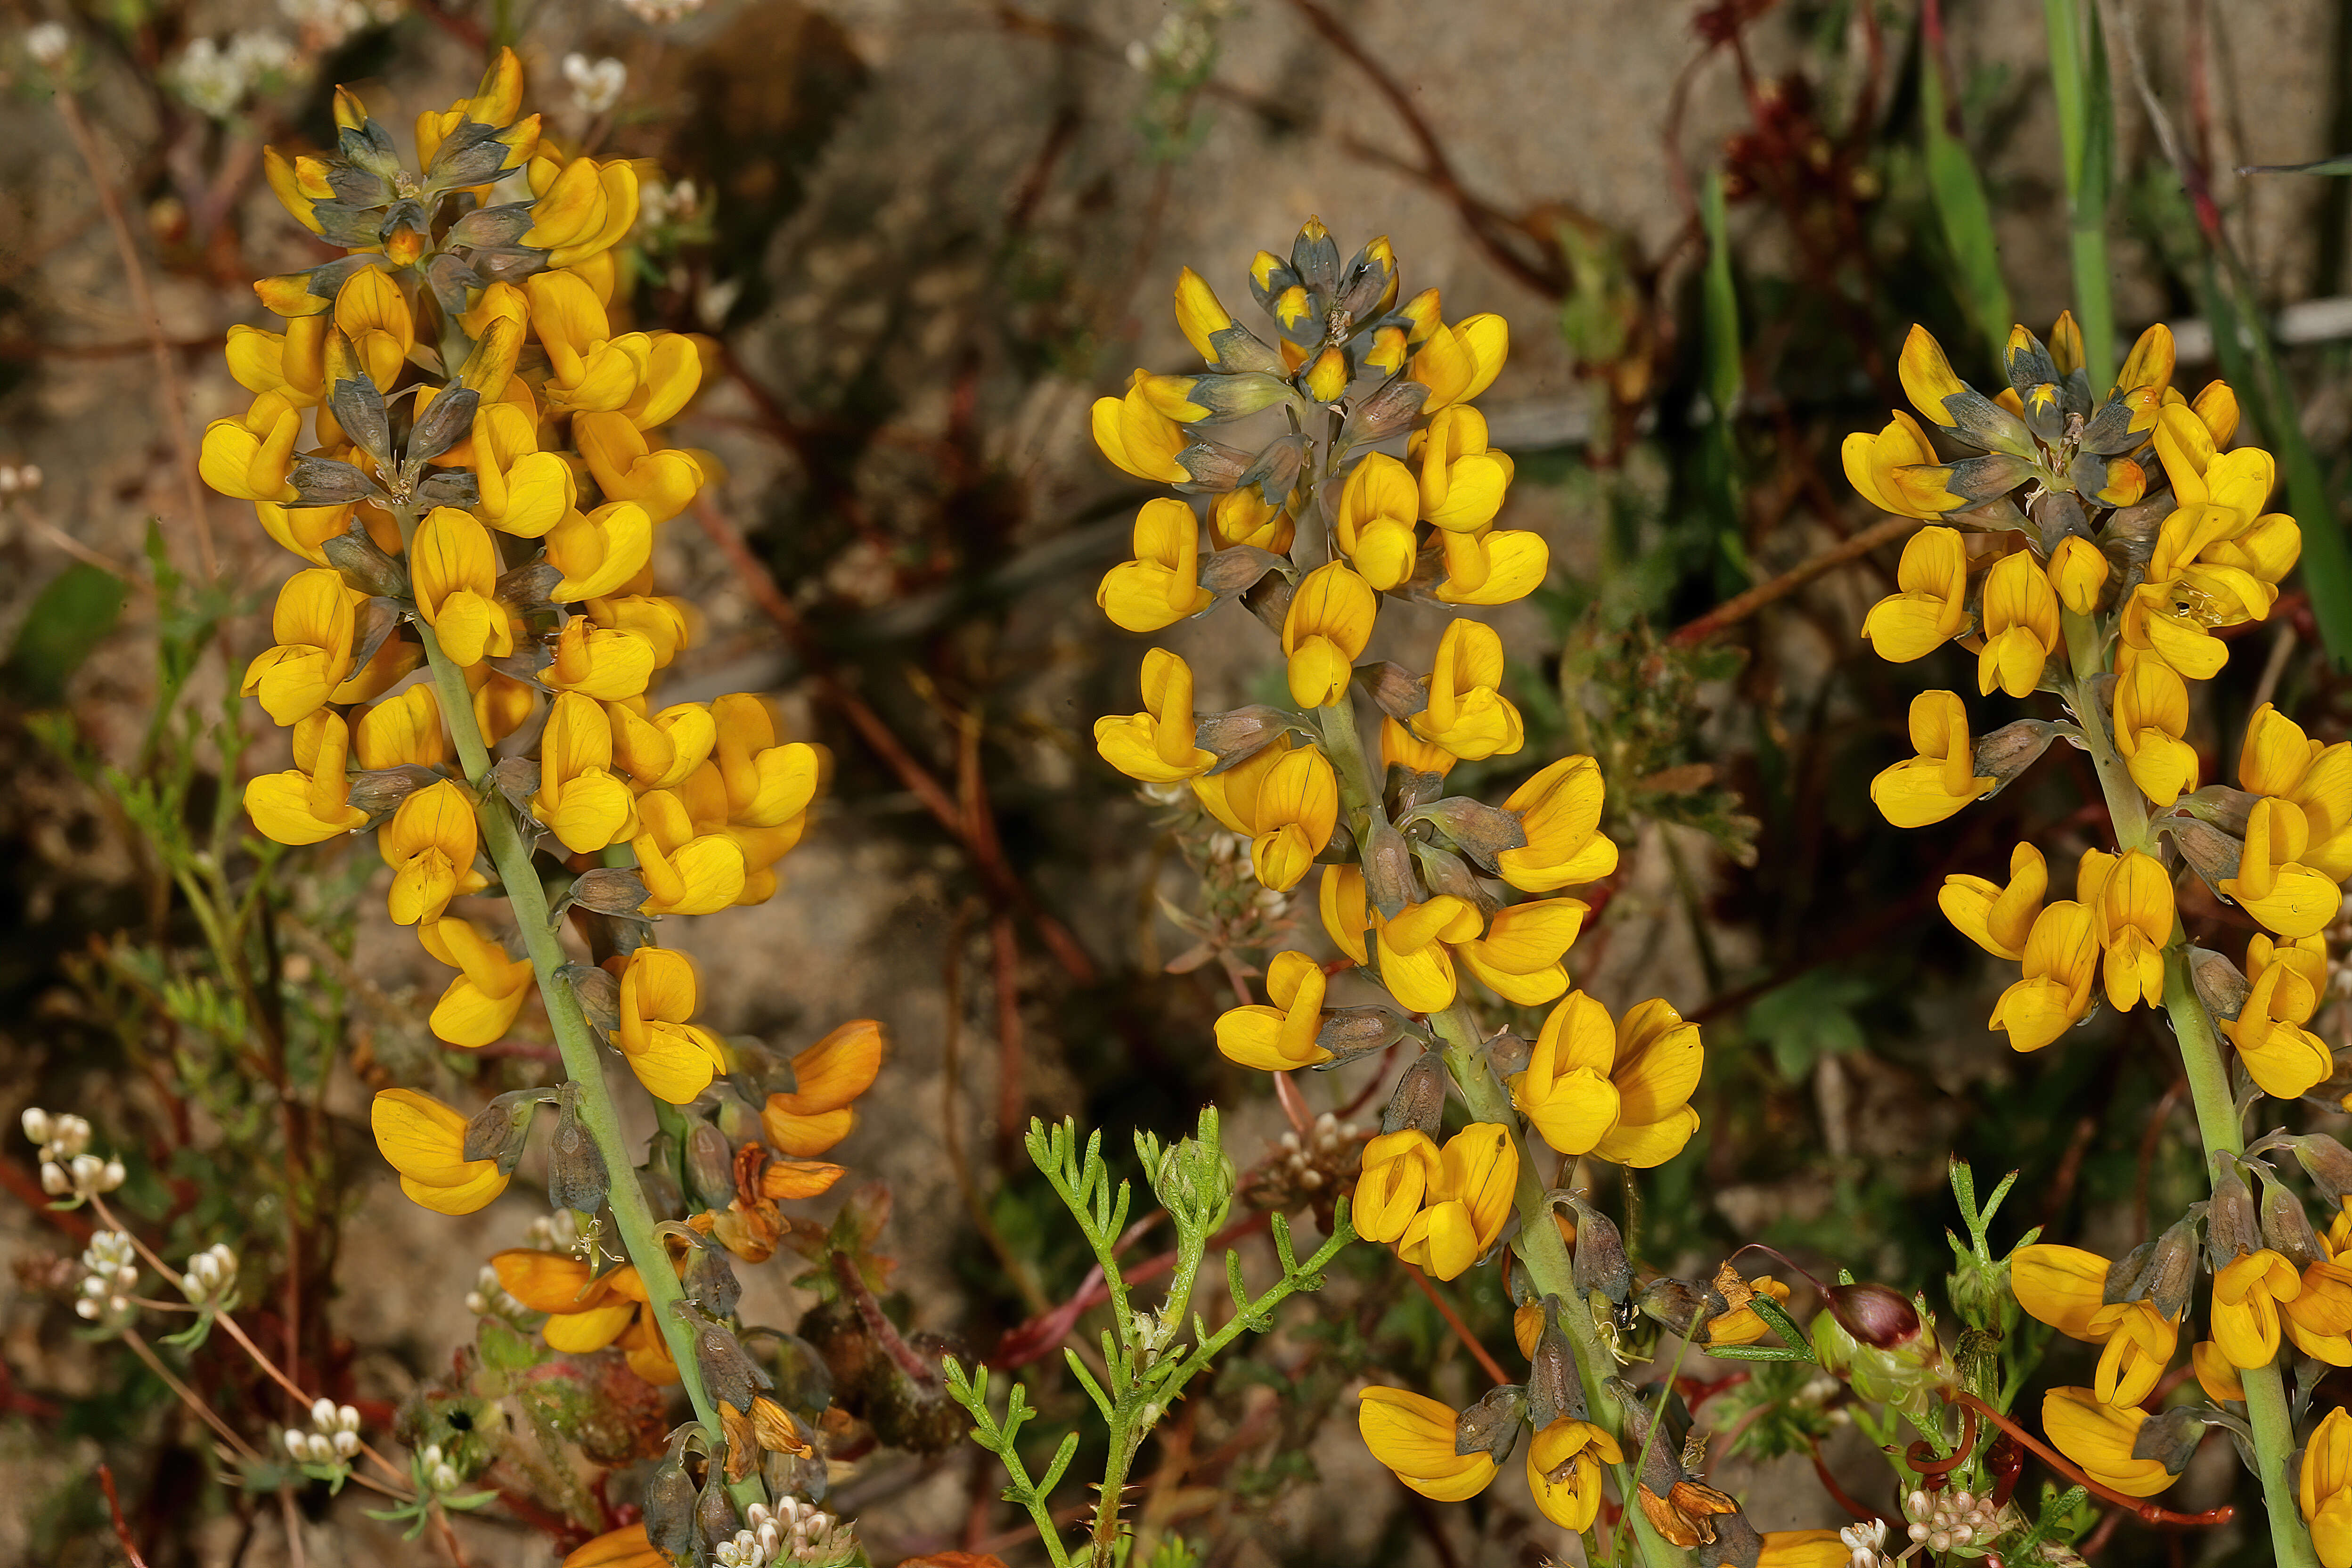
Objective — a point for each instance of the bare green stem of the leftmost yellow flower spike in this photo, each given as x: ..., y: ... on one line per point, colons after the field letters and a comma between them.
x: 573, y: 1038
